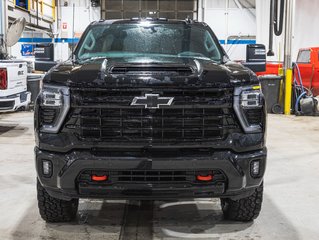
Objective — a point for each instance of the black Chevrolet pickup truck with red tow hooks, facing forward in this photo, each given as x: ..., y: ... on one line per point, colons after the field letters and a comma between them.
x: 150, y: 109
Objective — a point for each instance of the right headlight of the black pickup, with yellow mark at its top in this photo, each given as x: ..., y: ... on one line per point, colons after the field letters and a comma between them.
x: 249, y: 108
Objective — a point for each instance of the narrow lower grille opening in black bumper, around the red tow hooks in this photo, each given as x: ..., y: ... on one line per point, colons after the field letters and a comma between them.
x: 149, y: 176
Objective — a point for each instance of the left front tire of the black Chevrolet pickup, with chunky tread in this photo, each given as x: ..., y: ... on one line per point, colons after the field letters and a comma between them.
x: 53, y: 209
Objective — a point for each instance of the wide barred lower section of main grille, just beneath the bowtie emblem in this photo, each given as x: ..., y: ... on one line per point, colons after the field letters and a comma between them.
x: 144, y: 123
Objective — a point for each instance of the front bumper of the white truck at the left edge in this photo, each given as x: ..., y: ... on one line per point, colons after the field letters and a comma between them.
x: 13, y: 102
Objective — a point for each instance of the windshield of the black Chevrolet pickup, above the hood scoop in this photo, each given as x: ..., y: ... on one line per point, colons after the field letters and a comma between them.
x: 148, y: 40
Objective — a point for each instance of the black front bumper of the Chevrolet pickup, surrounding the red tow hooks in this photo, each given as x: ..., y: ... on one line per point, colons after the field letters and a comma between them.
x: 63, y: 183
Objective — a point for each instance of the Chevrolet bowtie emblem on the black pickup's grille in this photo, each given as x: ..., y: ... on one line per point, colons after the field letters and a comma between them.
x: 152, y: 101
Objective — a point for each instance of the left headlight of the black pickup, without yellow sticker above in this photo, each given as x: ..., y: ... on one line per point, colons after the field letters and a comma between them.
x: 54, y: 104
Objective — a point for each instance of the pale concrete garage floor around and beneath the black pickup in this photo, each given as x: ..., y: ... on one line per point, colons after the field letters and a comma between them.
x: 290, y: 208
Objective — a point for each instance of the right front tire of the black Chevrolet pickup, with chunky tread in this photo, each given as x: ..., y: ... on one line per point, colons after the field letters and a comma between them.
x: 244, y: 209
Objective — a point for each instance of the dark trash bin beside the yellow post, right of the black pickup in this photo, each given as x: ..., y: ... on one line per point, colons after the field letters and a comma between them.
x: 270, y: 85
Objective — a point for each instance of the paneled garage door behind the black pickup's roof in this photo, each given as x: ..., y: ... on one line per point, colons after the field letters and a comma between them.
x: 171, y: 9
